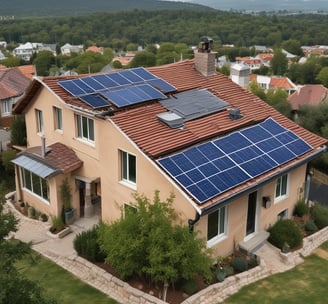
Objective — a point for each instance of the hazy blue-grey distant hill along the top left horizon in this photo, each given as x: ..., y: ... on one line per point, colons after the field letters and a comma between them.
x: 42, y: 8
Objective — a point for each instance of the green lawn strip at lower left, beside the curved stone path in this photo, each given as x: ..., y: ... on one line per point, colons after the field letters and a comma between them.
x: 59, y: 284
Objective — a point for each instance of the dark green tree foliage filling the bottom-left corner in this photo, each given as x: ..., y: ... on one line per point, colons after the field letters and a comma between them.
x: 15, y: 287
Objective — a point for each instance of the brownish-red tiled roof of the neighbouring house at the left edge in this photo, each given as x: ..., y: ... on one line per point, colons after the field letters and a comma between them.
x: 12, y: 83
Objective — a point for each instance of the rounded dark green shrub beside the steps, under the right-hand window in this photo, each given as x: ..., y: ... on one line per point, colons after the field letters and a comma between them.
x: 285, y: 232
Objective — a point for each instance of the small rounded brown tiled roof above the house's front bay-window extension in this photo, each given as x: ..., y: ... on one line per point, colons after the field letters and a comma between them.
x: 59, y: 157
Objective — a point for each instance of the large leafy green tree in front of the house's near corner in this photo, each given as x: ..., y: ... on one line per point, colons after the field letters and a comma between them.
x: 146, y: 243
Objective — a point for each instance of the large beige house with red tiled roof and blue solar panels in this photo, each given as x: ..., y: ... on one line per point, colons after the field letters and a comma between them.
x: 234, y: 164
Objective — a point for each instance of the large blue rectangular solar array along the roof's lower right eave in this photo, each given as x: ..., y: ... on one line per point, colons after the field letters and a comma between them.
x: 209, y: 169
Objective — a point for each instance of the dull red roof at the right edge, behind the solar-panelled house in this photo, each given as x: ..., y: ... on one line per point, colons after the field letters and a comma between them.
x: 311, y: 94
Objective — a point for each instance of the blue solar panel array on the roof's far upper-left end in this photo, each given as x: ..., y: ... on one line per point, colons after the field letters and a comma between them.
x: 122, y: 88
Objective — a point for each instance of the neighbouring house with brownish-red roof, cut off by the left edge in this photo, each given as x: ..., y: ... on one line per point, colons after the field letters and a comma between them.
x: 12, y: 86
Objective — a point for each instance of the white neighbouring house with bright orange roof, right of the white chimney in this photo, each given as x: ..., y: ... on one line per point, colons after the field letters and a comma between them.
x: 274, y: 82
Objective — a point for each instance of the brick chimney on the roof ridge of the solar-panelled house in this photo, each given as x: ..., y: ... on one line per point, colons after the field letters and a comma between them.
x: 205, y: 59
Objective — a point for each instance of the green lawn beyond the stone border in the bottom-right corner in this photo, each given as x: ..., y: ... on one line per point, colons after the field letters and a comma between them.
x: 306, y: 283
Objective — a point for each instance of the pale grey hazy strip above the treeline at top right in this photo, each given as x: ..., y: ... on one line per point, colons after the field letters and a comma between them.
x: 266, y: 5
